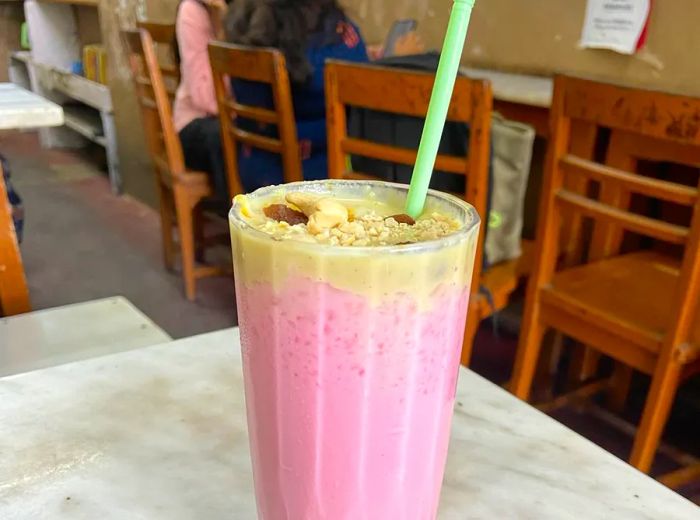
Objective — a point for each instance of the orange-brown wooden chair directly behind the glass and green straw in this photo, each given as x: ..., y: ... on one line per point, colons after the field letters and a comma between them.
x: 408, y: 93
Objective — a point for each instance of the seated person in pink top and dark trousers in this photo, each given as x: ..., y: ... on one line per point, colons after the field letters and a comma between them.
x: 195, y: 111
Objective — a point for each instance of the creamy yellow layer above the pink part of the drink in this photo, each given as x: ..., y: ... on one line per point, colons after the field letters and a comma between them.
x: 417, y: 270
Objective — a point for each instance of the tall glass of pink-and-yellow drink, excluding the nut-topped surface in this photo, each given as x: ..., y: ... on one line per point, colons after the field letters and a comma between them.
x: 350, y: 358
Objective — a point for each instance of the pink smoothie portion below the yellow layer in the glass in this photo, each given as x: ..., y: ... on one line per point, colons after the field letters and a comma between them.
x: 349, y: 400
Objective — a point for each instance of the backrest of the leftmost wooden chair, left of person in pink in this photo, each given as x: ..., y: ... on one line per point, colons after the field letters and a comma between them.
x: 163, y: 141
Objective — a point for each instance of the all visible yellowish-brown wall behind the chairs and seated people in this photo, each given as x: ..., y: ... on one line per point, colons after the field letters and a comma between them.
x: 537, y: 36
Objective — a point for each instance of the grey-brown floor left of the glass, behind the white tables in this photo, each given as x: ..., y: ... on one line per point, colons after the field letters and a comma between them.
x: 83, y: 243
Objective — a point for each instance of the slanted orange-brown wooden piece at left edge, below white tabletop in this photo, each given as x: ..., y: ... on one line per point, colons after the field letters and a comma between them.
x: 14, y: 295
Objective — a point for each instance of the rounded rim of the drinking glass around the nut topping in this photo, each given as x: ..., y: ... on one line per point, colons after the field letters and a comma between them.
x: 236, y: 218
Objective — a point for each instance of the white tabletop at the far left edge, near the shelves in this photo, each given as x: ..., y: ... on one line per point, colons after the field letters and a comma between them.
x: 20, y: 108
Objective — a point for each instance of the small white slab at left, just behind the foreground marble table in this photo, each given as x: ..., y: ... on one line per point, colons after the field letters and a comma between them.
x: 50, y: 337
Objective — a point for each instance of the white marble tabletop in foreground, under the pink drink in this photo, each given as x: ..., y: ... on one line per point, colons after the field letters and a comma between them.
x: 159, y: 433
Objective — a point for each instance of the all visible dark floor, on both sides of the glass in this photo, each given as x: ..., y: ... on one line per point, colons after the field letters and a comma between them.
x: 83, y: 243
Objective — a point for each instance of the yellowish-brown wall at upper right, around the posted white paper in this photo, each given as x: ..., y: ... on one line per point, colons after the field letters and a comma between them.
x: 541, y: 36
